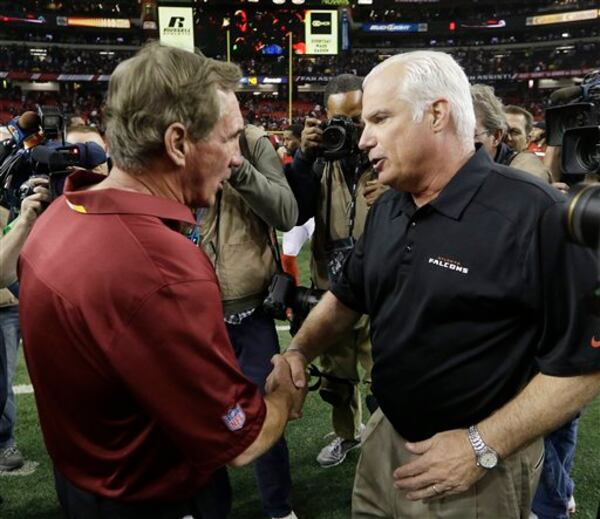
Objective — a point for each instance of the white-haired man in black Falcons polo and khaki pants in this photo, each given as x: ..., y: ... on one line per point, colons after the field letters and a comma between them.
x: 482, y: 340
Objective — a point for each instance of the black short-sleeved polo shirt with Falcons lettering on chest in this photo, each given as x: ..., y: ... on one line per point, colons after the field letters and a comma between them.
x: 469, y: 296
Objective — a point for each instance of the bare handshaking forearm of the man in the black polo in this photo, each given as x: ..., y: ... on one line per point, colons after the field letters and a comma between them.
x: 323, y: 325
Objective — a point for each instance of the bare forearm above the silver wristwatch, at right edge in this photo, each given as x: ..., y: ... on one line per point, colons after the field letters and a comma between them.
x: 543, y: 406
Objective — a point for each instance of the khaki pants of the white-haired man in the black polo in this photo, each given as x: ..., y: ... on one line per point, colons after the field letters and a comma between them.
x: 505, y: 492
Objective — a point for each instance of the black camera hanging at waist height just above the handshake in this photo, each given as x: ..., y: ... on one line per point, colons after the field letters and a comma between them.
x: 283, y: 294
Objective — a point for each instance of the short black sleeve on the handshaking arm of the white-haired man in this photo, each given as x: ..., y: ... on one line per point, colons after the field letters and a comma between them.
x: 349, y: 287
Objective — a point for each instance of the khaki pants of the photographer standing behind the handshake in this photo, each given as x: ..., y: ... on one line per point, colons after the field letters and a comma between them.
x: 341, y: 361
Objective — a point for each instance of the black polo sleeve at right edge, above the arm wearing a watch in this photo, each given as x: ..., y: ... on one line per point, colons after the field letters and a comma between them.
x: 570, y: 341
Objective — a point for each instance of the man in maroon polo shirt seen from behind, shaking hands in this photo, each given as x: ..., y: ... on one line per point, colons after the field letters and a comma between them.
x: 140, y: 397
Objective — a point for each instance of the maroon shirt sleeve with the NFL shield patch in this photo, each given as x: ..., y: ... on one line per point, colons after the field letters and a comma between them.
x: 176, y: 358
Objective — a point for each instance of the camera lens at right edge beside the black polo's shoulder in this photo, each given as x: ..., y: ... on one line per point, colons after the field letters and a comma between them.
x: 583, y: 214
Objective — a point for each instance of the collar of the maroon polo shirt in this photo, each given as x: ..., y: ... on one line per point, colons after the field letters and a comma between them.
x: 118, y: 201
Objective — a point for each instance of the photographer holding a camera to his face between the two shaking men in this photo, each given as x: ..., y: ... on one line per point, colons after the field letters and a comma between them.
x: 337, y: 187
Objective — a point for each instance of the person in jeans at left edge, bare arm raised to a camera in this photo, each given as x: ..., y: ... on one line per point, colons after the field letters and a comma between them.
x: 11, y: 244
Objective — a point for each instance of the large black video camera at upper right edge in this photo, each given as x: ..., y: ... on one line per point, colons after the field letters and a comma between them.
x: 576, y: 126
